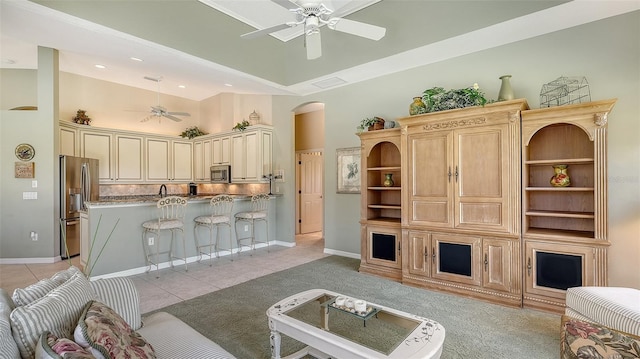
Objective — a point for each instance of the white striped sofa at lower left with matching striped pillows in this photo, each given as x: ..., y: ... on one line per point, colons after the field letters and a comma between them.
x: 169, y: 336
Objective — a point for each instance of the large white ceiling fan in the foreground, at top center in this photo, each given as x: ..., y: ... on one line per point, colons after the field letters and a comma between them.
x: 312, y: 14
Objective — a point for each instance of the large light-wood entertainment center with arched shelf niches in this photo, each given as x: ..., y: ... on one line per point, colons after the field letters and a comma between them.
x: 472, y: 210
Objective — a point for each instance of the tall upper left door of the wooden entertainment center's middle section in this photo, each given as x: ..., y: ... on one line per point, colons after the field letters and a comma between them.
x: 430, y: 176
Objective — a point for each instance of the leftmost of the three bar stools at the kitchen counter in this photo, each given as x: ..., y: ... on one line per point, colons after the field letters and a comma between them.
x: 171, y: 217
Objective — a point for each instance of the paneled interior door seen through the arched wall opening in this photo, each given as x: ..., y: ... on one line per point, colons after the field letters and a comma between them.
x: 311, y: 203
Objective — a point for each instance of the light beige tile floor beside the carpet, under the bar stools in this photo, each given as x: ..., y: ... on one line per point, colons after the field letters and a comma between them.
x: 175, y: 285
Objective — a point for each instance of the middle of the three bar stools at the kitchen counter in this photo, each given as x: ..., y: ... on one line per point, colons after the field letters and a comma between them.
x: 221, y: 207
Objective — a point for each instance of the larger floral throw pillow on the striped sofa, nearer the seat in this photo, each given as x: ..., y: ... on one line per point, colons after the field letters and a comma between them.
x: 107, y: 335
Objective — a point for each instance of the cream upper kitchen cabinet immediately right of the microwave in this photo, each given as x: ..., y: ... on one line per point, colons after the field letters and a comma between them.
x: 251, y: 155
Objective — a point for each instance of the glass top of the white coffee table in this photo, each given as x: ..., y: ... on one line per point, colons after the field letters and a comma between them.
x: 376, y: 329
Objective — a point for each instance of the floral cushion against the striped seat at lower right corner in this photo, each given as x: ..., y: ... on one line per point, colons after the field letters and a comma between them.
x: 584, y: 340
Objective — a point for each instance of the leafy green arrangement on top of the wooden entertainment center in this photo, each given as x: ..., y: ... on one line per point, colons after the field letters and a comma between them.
x: 437, y: 99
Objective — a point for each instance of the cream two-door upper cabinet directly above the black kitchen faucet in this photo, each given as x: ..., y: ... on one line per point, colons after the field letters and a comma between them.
x: 168, y: 160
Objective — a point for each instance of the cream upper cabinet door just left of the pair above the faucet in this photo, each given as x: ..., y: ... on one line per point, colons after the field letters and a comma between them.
x: 129, y: 158
